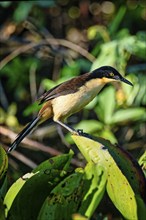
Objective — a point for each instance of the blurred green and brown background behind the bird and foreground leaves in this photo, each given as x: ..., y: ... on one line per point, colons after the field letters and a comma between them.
x: 44, y: 43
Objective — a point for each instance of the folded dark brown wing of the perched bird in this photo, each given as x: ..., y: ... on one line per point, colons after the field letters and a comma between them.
x: 68, y: 87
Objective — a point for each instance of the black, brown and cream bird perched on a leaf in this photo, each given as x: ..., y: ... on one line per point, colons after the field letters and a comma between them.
x: 70, y: 97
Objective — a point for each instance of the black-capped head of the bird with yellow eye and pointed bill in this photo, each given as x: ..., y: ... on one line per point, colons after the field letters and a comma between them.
x: 108, y: 74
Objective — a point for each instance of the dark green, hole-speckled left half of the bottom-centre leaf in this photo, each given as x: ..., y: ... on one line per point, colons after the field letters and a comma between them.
x: 64, y: 199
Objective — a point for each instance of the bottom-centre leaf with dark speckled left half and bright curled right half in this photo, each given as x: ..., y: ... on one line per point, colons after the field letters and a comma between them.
x: 82, y: 189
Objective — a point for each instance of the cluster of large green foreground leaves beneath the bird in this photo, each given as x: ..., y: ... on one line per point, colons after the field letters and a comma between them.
x: 52, y: 190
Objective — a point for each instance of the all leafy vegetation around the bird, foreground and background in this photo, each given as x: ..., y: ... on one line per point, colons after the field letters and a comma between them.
x: 44, y: 43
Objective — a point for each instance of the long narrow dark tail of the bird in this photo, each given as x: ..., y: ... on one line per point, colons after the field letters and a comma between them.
x: 23, y: 134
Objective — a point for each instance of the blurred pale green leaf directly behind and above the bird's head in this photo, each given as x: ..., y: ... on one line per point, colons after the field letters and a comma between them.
x: 122, y: 48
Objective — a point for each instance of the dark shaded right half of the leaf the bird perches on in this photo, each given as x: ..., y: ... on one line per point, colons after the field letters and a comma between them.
x: 129, y: 167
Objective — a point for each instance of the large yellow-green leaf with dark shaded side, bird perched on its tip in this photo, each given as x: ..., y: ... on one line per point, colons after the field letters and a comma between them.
x: 123, y: 173
